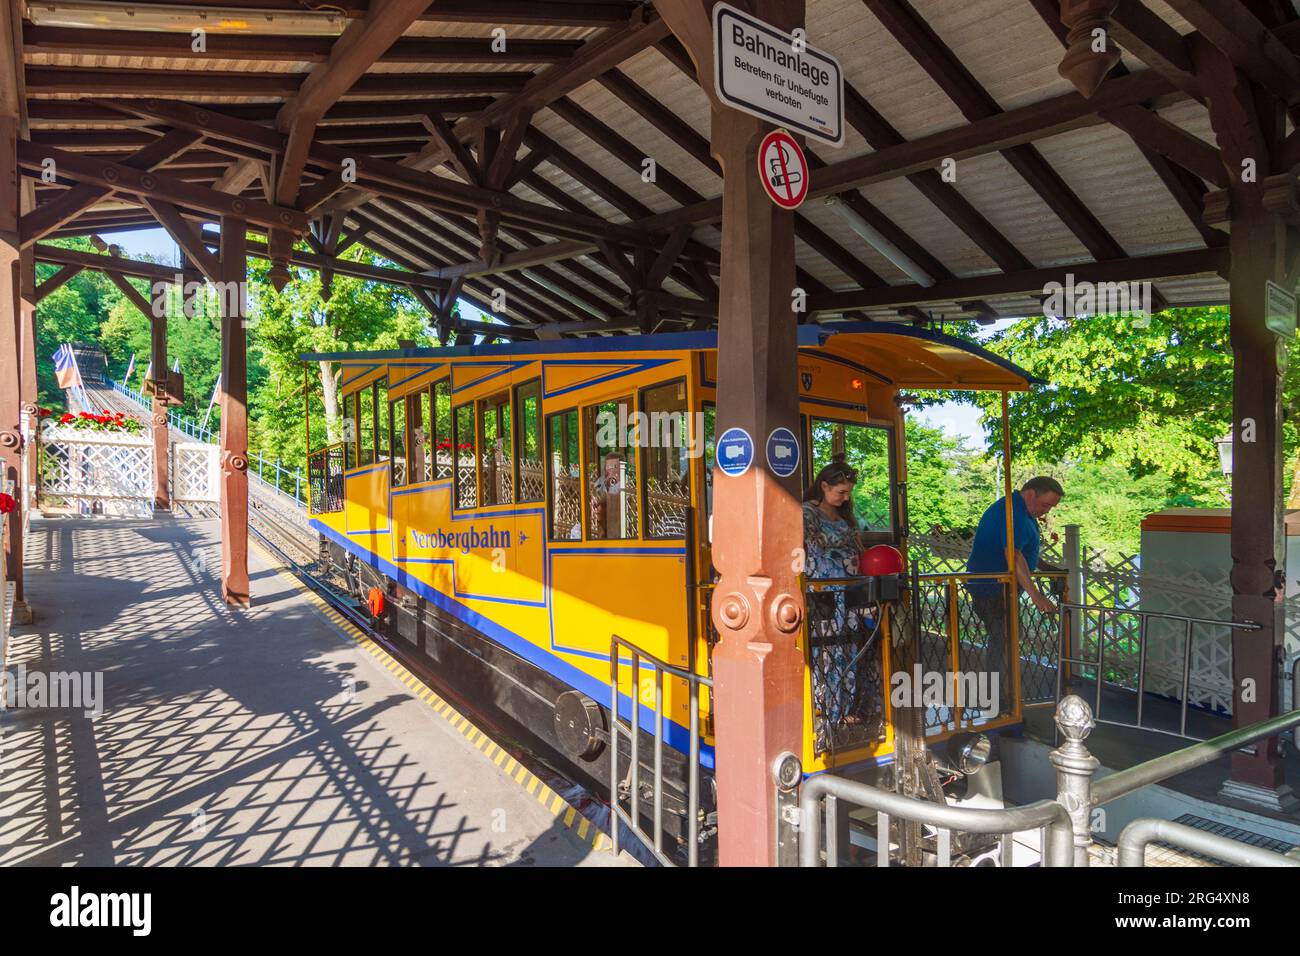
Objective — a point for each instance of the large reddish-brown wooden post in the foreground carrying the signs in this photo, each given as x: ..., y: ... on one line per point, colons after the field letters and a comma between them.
x: 759, y: 527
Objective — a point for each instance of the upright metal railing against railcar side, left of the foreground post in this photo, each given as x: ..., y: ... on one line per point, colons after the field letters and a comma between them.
x: 631, y: 729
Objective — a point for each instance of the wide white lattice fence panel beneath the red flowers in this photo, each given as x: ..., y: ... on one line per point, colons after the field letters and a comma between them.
x: 97, y: 473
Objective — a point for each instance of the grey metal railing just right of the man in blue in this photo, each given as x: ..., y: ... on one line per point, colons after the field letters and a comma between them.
x: 1069, y: 637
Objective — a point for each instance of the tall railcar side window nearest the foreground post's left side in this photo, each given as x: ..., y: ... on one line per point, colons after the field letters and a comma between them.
x: 666, y: 464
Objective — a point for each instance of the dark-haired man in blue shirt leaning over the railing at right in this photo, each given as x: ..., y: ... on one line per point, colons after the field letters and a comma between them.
x: 989, y: 556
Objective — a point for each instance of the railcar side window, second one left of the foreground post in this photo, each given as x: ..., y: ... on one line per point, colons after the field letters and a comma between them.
x: 612, y: 470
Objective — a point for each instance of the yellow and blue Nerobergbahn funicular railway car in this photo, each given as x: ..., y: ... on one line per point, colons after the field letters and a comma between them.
x: 518, y: 505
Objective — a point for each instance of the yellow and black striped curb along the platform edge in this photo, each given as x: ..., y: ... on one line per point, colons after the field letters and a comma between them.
x: 586, y: 830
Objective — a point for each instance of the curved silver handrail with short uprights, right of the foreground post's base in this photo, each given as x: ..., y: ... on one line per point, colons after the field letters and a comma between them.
x: 1047, y: 816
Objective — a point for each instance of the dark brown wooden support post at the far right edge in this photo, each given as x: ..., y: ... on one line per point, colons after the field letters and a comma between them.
x: 1249, y: 126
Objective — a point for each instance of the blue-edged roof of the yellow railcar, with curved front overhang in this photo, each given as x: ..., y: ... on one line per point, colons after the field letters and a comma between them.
x: 902, y: 356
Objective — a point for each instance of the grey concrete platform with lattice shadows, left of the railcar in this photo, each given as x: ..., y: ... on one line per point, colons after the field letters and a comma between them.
x: 262, y: 737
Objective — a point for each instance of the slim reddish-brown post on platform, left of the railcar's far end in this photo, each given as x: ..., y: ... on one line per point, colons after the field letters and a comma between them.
x: 235, y: 416
